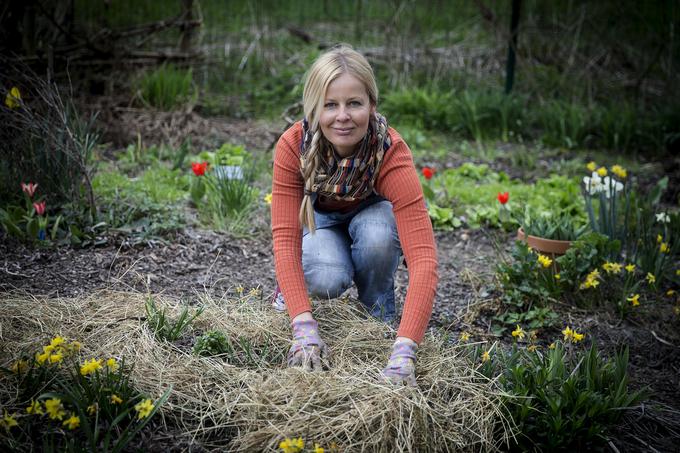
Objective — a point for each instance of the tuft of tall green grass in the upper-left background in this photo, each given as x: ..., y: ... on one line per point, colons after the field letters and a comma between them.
x: 166, y: 87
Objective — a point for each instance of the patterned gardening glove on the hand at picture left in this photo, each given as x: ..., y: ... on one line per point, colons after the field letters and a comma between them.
x: 308, y: 348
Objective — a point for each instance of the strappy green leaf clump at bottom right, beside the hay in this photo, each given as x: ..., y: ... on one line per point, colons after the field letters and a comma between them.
x: 562, y: 399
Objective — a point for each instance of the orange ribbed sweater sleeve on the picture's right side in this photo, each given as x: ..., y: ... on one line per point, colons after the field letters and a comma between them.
x: 398, y: 182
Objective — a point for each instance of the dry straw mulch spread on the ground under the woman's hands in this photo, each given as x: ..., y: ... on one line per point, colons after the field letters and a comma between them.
x: 253, y: 408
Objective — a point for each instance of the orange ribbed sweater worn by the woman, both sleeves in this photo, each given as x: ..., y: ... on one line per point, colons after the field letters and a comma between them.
x: 397, y: 182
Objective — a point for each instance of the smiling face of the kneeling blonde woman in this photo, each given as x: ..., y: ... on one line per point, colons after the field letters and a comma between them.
x: 345, y: 114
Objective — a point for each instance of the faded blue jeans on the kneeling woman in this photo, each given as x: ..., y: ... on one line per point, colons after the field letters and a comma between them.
x: 361, y: 246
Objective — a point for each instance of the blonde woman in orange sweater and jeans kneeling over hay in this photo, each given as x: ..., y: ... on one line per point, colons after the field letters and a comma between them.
x: 346, y: 201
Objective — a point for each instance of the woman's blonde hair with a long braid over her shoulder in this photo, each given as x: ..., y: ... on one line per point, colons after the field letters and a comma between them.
x: 341, y: 59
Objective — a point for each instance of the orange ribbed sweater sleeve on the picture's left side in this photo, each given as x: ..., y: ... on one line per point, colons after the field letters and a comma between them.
x: 287, y: 190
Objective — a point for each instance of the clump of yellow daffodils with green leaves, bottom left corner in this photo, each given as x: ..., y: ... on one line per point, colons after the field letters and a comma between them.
x: 73, y: 405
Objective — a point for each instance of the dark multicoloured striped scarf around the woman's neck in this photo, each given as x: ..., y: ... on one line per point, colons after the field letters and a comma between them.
x: 350, y: 178
